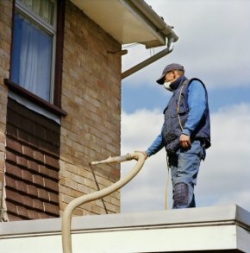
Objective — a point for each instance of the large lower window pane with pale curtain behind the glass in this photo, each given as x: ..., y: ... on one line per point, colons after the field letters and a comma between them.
x: 32, y: 57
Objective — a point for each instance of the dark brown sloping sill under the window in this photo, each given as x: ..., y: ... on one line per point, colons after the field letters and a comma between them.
x: 35, y: 99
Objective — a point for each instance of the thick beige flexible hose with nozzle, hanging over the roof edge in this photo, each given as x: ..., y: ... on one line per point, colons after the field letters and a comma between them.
x: 67, y: 215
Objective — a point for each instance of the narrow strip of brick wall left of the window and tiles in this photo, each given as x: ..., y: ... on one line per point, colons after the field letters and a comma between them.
x: 5, y: 44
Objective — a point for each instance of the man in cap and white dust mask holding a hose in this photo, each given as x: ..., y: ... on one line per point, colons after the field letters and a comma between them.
x: 185, y: 133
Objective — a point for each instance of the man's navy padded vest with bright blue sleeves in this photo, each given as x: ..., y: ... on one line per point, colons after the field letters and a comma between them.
x: 193, y: 113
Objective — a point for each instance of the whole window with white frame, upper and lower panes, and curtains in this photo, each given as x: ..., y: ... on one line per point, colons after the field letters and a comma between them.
x: 34, y: 40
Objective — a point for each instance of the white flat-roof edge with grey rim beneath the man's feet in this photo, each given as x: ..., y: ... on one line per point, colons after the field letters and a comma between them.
x: 186, y: 230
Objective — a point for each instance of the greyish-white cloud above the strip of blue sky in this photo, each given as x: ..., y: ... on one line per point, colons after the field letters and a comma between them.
x: 213, y: 41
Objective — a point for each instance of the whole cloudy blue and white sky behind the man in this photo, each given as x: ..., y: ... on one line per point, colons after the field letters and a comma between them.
x: 214, y: 46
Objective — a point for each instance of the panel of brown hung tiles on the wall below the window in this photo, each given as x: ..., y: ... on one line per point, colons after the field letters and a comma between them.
x: 32, y: 153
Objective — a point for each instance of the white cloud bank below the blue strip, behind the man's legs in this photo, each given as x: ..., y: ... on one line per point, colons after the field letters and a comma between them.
x: 223, y: 178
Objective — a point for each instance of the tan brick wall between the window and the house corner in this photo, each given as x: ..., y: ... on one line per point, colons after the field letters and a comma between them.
x: 91, y: 95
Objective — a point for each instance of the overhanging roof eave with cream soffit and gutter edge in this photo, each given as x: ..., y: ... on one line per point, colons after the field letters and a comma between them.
x: 128, y: 21
